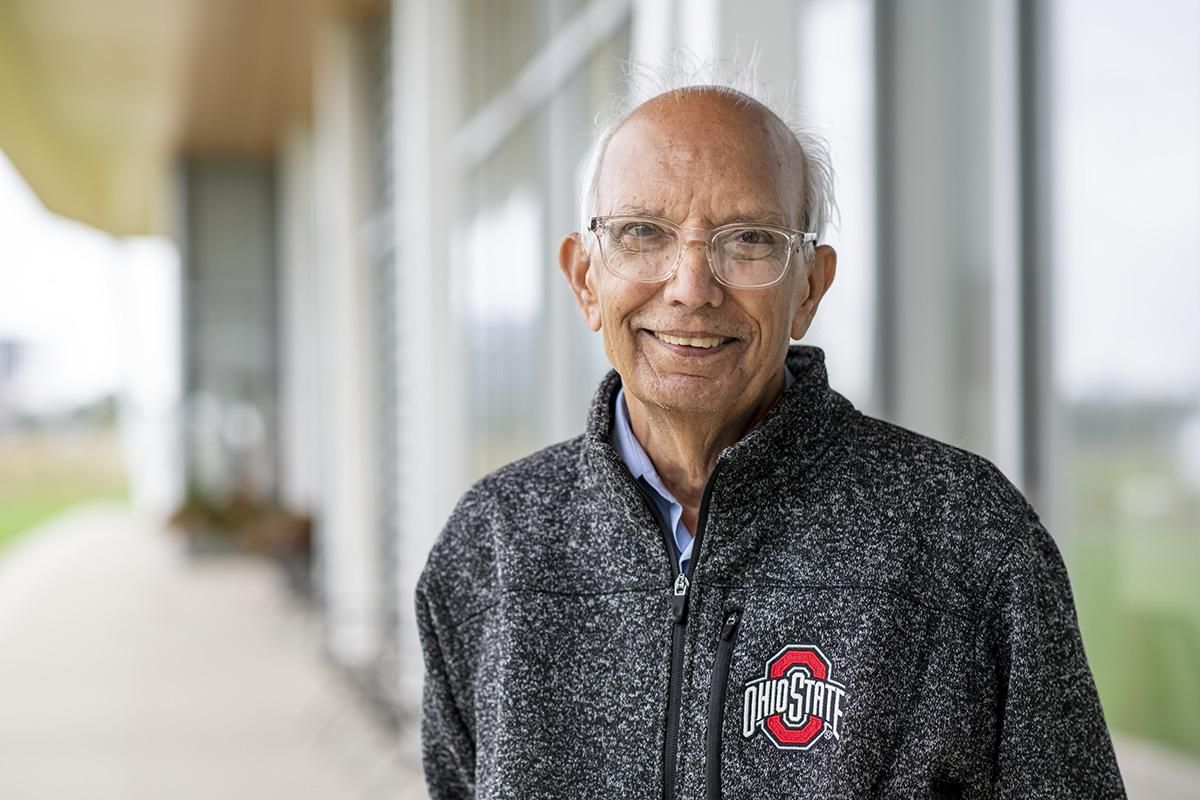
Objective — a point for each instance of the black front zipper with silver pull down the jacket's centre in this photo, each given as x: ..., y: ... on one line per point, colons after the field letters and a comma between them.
x: 681, y: 591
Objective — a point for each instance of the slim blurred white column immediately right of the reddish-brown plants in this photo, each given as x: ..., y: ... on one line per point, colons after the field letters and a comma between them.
x: 349, y: 526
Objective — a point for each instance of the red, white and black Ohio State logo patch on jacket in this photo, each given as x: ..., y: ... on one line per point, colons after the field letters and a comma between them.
x: 796, y: 703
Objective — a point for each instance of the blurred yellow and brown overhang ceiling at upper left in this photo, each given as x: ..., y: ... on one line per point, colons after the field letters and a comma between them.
x: 99, y: 99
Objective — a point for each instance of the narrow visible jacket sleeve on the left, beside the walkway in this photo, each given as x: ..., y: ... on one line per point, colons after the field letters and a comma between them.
x: 448, y: 748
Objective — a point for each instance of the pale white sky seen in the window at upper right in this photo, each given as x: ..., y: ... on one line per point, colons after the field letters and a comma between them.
x: 1126, y: 129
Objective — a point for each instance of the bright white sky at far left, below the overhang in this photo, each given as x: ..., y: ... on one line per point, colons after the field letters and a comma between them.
x: 92, y: 310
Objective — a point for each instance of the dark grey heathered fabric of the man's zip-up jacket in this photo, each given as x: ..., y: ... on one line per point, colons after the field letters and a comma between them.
x: 916, y: 569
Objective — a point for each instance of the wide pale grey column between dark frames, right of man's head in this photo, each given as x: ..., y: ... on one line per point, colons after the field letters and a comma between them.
x: 946, y: 220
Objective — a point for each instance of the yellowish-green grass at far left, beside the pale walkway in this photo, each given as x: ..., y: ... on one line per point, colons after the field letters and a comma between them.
x: 44, y: 474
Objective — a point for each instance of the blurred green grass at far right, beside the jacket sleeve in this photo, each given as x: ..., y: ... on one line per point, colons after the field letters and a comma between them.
x: 1135, y: 560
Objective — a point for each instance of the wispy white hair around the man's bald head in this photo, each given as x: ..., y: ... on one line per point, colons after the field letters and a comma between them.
x: 682, y: 74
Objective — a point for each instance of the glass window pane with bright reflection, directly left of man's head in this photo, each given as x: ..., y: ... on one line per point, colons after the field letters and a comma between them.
x: 531, y: 364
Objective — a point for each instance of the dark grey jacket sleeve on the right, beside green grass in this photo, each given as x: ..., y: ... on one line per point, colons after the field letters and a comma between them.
x: 1053, y: 739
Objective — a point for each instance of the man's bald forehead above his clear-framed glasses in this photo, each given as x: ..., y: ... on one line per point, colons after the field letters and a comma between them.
x: 703, y: 158
